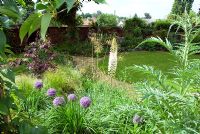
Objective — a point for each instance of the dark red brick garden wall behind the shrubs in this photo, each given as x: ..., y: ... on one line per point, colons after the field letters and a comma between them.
x: 56, y: 35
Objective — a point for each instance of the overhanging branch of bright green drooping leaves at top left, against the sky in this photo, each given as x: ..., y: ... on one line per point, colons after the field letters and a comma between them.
x: 45, y: 12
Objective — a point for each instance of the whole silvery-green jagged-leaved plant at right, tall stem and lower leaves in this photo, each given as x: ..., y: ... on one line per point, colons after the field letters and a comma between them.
x: 171, y: 105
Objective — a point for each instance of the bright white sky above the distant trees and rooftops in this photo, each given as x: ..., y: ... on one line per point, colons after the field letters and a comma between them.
x: 158, y: 9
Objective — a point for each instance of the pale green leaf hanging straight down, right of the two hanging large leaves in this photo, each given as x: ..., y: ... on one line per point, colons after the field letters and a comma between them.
x: 46, y: 19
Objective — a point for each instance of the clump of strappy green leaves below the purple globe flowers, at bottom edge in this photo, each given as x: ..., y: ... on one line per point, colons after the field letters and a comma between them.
x: 67, y: 119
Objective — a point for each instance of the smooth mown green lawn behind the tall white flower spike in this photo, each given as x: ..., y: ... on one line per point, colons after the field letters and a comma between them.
x: 163, y: 61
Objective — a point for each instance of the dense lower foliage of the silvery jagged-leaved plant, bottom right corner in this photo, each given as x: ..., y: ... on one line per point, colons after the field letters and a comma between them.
x: 166, y: 105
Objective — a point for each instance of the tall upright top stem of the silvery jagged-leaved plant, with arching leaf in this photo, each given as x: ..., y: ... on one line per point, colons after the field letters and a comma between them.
x: 186, y: 48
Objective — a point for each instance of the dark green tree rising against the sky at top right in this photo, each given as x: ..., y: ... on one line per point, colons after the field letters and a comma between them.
x: 180, y: 6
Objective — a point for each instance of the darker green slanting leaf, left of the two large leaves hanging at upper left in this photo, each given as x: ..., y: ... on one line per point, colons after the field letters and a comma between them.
x: 25, y: 28
